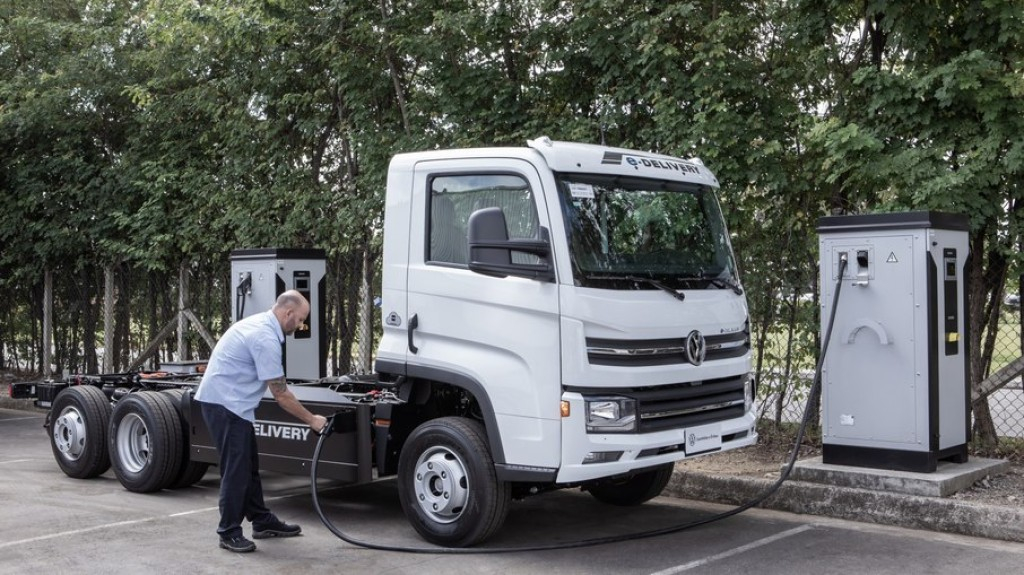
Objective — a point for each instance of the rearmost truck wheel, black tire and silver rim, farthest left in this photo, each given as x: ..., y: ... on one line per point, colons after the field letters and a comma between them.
x: 78, y: 432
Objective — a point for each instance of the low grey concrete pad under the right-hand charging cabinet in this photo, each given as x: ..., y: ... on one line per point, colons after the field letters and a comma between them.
x: 947, y: 480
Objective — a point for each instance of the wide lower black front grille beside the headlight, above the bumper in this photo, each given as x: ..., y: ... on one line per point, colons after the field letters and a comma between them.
x: 682, y: 406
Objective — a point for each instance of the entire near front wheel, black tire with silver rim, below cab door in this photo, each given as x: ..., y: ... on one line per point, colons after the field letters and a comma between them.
x: 448, y: 486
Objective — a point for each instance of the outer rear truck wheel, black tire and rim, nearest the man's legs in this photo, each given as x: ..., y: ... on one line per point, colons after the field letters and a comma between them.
x: 146, y: 443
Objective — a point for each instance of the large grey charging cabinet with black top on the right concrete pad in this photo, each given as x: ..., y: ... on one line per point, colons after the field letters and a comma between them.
x: 895, y: 385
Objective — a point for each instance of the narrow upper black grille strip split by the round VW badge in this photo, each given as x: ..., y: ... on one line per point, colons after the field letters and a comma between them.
x: 638, y: 353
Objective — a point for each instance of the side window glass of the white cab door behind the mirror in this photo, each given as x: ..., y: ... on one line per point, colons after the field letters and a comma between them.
x: 454, y: 199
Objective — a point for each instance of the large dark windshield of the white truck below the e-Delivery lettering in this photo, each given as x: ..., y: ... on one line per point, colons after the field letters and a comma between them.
x: 624, y: 230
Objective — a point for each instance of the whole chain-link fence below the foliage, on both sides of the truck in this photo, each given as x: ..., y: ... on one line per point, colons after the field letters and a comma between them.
x: 147, y: 301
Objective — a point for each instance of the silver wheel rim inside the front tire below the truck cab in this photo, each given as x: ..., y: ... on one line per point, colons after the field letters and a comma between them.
x: 442, y: 484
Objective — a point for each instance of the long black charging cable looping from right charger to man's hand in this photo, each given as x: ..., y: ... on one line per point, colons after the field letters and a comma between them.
x: 816, y: 391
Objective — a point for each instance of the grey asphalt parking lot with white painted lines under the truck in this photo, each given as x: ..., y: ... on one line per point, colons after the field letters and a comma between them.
x: 54, y: 524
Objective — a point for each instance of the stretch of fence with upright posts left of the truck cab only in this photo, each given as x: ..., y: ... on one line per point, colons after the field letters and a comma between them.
x: 116, y: 319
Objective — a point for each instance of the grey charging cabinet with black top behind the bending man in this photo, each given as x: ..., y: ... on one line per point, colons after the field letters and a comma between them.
x: 259, y: 277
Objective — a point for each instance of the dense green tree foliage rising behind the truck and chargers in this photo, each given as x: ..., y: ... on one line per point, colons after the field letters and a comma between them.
x: 160, y: 131
